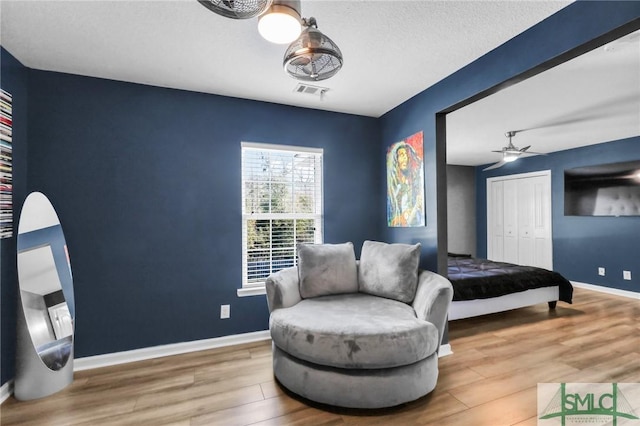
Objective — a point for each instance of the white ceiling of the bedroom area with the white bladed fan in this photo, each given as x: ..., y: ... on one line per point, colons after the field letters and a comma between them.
x: 591, y: 99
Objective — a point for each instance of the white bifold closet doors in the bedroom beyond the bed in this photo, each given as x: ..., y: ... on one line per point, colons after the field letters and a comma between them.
x: 519, y: 219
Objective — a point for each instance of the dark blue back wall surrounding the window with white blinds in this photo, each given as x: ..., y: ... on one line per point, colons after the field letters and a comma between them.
x: 146, y: 182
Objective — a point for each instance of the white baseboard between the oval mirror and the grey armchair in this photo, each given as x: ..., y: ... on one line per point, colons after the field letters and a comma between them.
x: 98, y: 361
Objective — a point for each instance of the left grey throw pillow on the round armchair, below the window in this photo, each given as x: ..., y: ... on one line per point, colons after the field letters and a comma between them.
x: 325, y: 269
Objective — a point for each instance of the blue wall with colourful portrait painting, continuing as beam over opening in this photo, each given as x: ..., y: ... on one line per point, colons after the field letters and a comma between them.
x: 562, y: 32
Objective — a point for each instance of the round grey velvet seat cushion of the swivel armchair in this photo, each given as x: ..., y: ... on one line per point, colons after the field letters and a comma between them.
x: 353, y: 331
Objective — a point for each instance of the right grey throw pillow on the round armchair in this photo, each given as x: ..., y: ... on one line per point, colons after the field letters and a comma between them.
x: 389, y: 270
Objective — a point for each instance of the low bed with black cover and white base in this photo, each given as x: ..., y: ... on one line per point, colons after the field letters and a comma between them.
x: 482, y: 286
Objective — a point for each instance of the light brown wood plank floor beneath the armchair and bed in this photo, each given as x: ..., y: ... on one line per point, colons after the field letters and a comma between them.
x: 491, y: 378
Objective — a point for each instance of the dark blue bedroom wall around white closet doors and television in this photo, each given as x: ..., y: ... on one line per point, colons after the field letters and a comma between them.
x: 580, y: 244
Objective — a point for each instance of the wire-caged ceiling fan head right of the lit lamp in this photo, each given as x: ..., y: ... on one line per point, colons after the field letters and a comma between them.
x: 313, y: 56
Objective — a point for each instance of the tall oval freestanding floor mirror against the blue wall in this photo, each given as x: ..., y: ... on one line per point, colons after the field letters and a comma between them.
x: 46, y: 309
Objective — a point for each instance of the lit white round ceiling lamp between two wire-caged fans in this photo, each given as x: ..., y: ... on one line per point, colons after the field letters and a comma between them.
x: 281, y: 22
